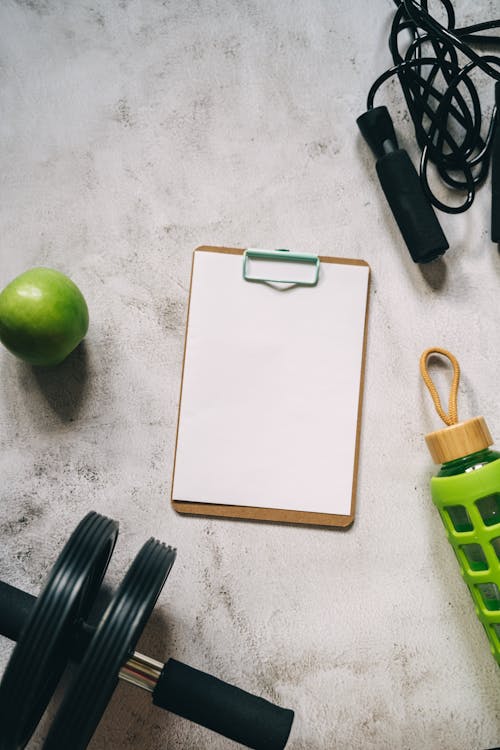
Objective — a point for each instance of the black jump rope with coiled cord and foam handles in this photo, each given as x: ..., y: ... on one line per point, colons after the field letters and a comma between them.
x: 436, y: 63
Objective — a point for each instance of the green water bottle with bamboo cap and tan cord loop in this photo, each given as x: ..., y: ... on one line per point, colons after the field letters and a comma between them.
x: 466, y: 492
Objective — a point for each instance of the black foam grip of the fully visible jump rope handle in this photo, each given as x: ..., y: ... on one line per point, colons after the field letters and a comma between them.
x: 413, y: 212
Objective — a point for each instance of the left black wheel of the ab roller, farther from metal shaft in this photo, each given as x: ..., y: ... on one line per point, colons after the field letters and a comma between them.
x: 45, y: 643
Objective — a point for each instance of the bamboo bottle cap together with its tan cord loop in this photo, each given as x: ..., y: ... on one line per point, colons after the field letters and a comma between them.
x: 458, y: 439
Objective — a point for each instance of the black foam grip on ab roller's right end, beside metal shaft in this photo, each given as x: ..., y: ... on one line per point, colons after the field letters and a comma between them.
x: 240, y: 716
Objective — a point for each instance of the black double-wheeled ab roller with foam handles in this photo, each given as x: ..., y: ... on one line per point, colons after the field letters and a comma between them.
x: 51, y: 630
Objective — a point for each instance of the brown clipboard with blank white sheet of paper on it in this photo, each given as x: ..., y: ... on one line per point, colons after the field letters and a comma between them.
x: 234, y: 371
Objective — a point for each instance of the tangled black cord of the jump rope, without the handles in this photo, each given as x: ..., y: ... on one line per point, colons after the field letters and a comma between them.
x: 447, y: 123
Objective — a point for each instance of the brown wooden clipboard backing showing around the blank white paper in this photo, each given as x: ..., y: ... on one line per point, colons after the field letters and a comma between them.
x: 247, y: 511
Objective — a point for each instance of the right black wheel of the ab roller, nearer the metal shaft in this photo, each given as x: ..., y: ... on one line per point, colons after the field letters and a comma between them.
x: 110, y: 647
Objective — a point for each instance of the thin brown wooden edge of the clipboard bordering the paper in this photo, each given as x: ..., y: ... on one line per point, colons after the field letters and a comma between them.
x: 272, y: 514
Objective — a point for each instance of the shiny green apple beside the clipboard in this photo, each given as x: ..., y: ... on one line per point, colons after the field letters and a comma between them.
x: 43, y: 316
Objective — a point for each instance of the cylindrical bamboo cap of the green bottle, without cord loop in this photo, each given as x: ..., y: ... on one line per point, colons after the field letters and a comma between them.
x: 458, y: 440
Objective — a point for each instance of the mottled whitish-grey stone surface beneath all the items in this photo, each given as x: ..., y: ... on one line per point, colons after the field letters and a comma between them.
x: 131, y: 132
